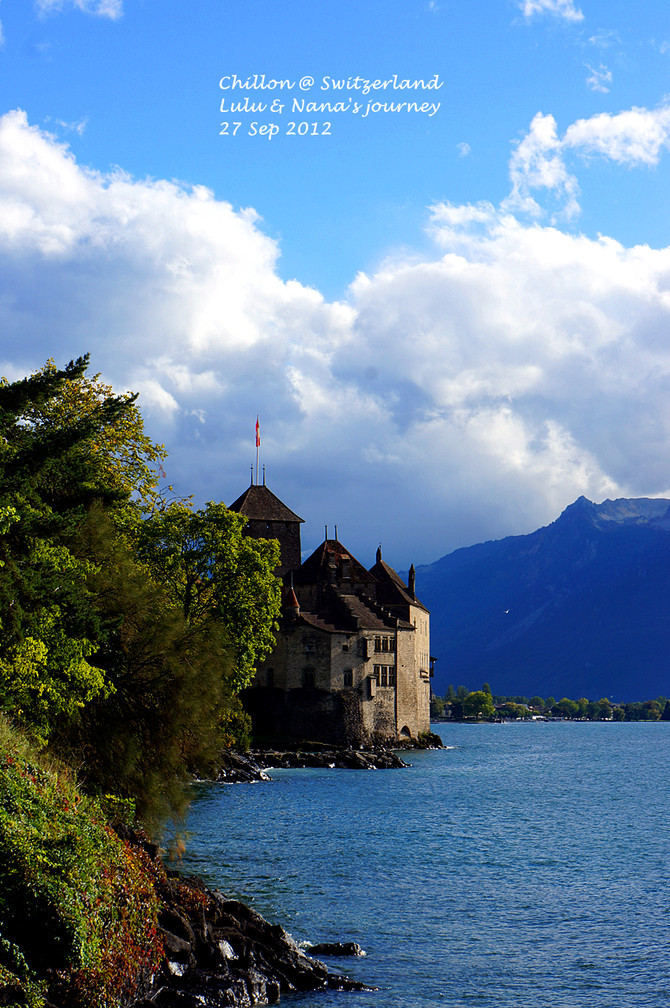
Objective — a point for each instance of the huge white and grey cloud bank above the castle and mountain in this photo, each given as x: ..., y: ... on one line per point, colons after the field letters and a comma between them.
x: 469, y: 396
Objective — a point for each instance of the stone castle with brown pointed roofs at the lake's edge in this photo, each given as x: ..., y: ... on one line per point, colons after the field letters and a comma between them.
x: 352, y: 664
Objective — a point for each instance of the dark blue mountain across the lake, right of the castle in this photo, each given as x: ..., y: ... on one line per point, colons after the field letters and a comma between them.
x: 580, y: 608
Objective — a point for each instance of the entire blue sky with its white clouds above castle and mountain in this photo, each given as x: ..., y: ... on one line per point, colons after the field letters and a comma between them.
x: 428, y: 242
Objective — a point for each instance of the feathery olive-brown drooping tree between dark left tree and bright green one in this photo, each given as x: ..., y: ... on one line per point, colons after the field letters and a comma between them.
x: 160, y: 721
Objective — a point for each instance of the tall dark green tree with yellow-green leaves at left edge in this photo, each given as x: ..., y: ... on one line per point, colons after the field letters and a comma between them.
x: 49, y: 627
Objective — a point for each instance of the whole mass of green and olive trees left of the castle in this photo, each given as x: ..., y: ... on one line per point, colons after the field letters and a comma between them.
x: 127, y: 626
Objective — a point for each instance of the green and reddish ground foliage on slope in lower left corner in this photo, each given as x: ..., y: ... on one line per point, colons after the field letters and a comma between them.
x: 79, y: 910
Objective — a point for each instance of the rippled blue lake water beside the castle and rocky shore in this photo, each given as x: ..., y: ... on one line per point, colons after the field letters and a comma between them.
x: 525, y: 867
